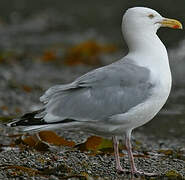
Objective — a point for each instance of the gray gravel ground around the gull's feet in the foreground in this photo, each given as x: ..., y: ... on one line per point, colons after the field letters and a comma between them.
x: 64, y: 163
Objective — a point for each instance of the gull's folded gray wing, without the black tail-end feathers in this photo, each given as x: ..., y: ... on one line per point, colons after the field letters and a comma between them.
x: 99, y: 94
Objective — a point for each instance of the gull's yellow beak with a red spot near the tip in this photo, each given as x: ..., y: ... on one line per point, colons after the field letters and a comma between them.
x: 171, y: 23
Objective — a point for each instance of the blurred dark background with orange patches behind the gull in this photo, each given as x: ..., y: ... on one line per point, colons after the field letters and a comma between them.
x: 46, y: 42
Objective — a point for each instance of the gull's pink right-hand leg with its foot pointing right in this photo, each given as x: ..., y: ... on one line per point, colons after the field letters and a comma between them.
x: 131, y: 157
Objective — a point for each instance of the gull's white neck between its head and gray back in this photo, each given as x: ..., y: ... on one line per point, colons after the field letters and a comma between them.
x: 148, y: 45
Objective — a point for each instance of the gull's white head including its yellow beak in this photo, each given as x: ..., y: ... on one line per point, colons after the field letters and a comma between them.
x: 140, y: 22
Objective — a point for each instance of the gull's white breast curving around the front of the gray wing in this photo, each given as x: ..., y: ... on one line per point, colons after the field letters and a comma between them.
x: 160, y: 75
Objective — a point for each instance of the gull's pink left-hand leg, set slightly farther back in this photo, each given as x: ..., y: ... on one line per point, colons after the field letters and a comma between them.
x: 116, y: 154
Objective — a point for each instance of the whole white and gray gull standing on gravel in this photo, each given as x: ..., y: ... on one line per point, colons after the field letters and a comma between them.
x: 113, y: 100
